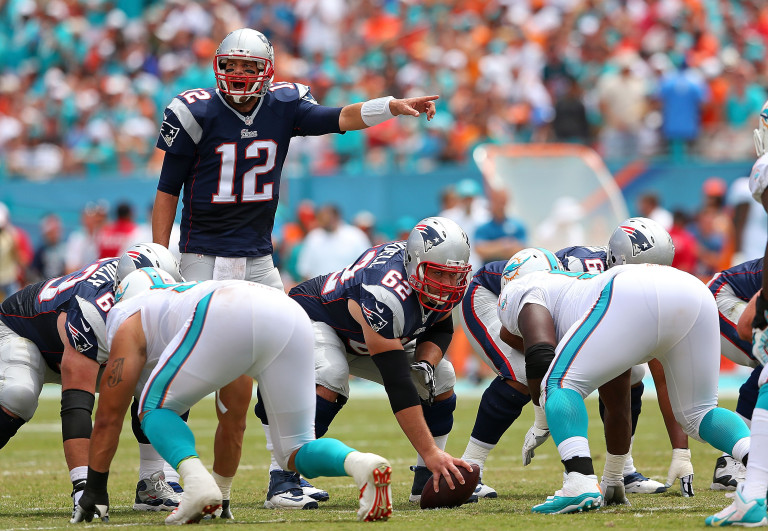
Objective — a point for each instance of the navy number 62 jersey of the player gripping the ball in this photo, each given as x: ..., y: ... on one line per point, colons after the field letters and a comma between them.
x: 377, y: 281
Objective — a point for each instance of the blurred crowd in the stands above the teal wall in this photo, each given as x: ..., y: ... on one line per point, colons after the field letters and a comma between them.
x: 83, y: 83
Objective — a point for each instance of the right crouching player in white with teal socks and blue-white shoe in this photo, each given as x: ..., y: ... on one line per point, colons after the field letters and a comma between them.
x: 572, y: 349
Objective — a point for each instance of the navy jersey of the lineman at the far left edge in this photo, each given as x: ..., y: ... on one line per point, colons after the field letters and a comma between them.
x: 86, y: 296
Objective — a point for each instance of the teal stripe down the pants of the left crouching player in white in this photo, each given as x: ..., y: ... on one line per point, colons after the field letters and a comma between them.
x: 157, y: 388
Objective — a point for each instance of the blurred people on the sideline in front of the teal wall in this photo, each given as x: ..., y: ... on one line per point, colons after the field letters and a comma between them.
x: 726, y: 228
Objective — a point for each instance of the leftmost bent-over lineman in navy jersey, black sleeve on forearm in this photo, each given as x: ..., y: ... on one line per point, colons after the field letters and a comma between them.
x: 55, y: 331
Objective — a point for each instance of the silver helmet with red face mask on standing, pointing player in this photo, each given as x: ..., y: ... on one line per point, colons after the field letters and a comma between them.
x: 248, y: 45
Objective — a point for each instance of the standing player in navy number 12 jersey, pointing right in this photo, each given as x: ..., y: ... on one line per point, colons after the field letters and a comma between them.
x: 225, y: 147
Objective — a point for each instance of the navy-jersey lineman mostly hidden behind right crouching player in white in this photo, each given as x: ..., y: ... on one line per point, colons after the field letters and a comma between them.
x: 636, y: 240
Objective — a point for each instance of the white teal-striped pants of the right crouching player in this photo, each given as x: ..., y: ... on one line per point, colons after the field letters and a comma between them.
x: 668, y: 316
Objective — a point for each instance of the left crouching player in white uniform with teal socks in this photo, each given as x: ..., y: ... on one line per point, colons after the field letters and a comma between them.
x: 165, y: 345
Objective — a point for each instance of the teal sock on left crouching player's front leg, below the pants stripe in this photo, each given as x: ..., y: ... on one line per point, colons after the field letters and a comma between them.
x: 170, y: 436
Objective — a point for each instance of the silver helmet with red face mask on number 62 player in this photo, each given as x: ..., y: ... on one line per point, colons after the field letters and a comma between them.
x: 437, y: 262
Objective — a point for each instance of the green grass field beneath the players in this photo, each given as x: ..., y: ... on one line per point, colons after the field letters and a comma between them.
x: 34, y: 490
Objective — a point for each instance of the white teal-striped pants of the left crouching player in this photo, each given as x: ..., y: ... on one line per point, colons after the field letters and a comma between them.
x: 268, y: 338
